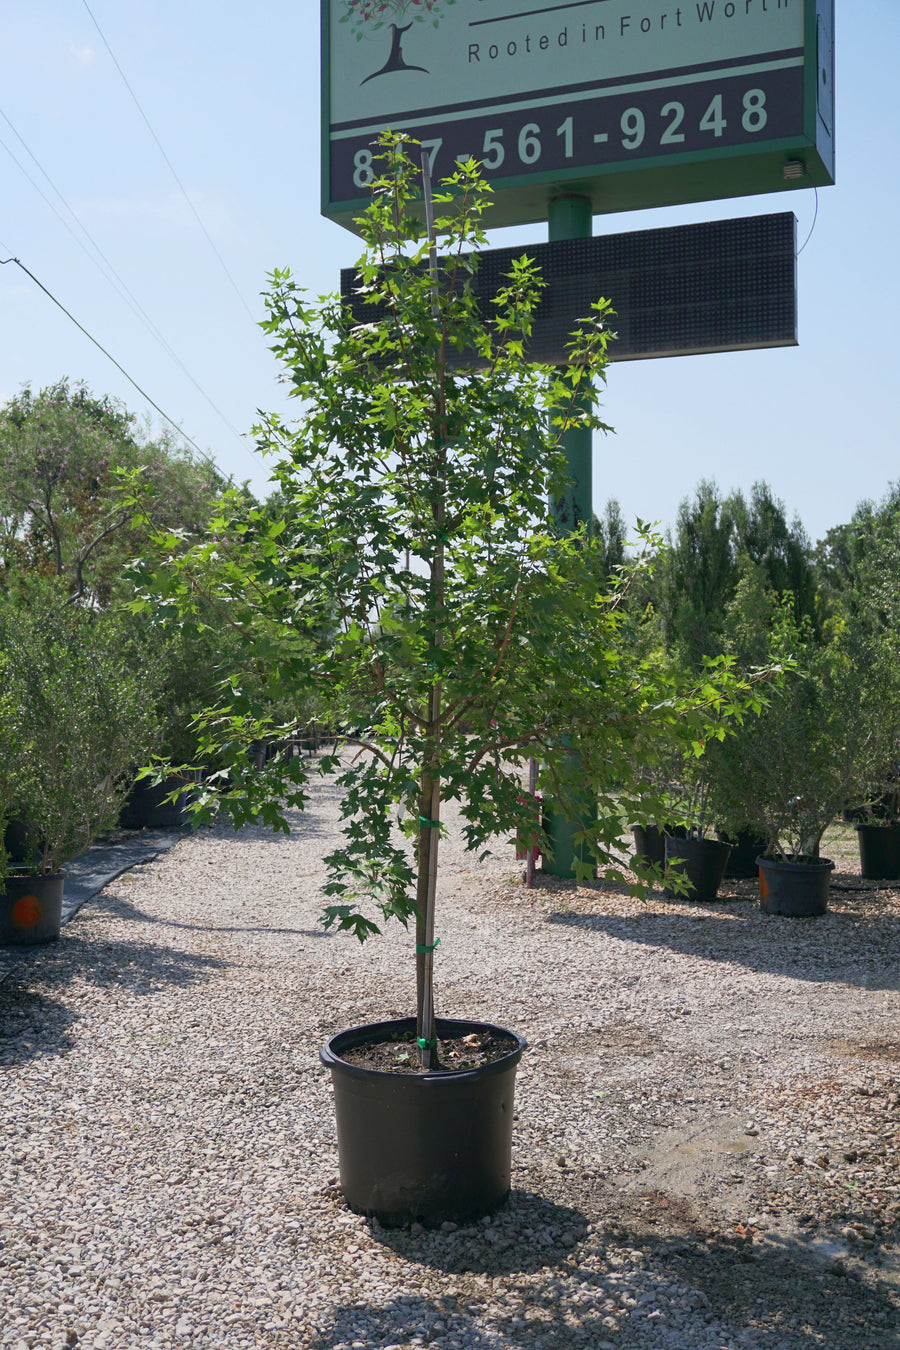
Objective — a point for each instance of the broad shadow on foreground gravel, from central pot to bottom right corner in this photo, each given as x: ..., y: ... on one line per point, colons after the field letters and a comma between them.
x: 616, y: 1289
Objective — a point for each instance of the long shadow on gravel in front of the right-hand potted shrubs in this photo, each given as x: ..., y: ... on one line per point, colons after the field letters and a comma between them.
x: 864, y: 955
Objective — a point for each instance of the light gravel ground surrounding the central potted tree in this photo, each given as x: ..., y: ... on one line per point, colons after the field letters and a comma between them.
x: 705, y: 1151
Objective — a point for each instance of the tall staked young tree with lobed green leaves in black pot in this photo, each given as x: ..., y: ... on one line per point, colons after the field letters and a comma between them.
x: 469, y: 639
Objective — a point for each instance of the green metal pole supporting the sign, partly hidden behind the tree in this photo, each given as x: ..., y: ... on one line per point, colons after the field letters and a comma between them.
x: 571, y: 218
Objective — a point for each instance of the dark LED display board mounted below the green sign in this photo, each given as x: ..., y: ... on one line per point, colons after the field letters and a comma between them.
x: 729, y: 286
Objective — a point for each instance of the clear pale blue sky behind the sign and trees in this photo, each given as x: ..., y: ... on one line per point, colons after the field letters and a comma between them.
x: 231, y: 94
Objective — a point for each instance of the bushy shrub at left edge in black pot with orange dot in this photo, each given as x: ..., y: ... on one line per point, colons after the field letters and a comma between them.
x: 78, y: 718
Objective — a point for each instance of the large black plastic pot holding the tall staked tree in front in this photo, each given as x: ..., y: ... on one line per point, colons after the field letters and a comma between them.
x: 427, y: 1147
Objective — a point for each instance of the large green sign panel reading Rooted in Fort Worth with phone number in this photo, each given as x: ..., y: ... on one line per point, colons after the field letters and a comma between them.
x: 635, y: 103
